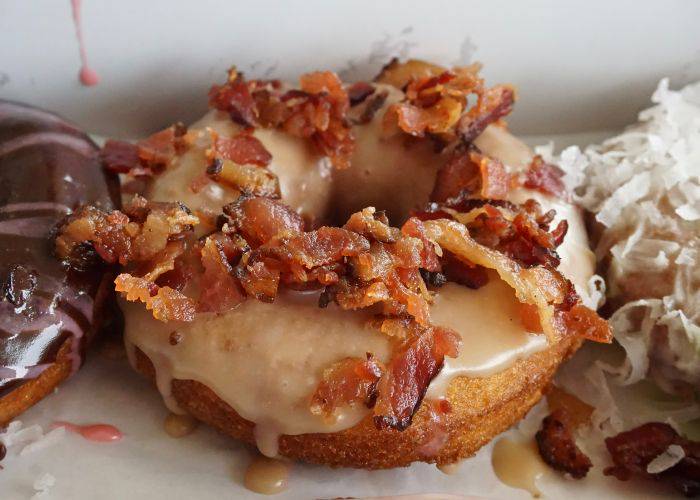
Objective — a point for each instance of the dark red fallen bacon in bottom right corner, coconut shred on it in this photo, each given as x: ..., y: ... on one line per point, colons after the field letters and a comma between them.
x: 633, y: 450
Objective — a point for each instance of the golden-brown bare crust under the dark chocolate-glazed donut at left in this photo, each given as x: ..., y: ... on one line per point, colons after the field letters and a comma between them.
x: 32, y: 391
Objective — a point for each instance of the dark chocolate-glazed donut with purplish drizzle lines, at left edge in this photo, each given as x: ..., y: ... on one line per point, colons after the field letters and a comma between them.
x: 48, y: 309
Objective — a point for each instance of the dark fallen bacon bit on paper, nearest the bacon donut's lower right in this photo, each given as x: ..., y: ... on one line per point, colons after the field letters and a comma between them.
x: 558, y: 448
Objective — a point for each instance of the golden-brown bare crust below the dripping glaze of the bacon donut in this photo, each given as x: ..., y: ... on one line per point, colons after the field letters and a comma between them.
x: 481, y: 409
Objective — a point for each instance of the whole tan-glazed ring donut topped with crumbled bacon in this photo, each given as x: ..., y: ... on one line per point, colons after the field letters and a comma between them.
x: 374, y: 377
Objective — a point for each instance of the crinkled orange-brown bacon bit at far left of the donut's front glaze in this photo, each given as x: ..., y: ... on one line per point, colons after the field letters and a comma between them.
x: 165, y: 303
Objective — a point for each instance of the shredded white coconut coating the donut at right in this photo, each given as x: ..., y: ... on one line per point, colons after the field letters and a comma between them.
x: 644, y: 188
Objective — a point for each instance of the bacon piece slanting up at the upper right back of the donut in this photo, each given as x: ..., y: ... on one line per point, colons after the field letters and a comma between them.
x: 492, y: 105
